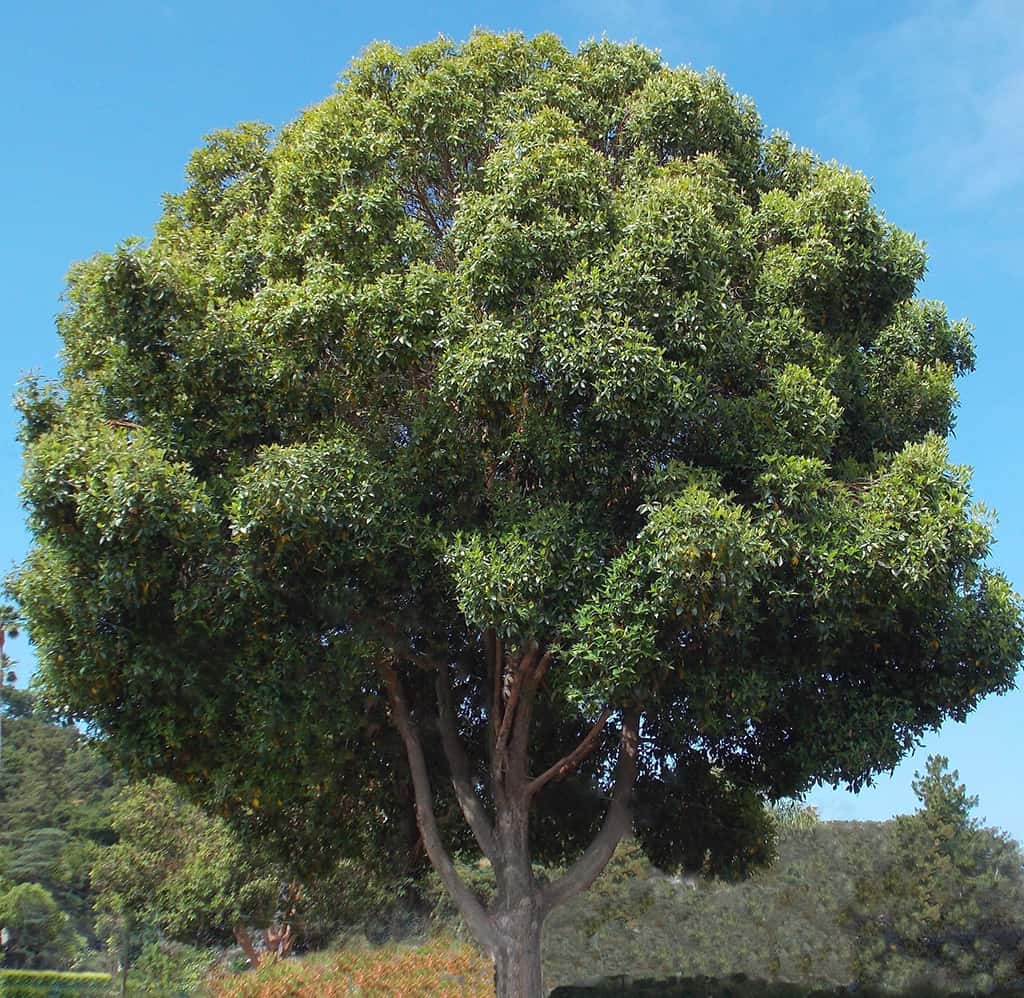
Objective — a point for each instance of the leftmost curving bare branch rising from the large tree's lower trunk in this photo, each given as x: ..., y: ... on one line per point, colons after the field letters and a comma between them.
x: 468, y: 904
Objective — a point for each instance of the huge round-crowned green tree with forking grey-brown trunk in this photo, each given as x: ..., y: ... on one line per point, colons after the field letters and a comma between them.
x: 538, y: 404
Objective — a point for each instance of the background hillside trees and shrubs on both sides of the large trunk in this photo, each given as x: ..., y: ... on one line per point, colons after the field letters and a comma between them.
x: 96, y: 872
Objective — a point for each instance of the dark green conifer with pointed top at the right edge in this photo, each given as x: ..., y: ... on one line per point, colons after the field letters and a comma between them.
x: 949, y: 909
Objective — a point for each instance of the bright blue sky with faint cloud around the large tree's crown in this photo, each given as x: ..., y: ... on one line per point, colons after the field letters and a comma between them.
x: 104, y: 102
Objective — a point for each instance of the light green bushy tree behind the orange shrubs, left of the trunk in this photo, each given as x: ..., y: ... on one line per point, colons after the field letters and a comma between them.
x: 179, y: 878
